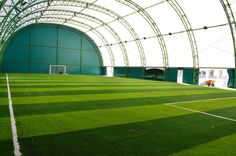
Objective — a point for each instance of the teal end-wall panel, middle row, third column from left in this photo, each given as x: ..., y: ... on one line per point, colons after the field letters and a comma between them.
x: 73, y: 56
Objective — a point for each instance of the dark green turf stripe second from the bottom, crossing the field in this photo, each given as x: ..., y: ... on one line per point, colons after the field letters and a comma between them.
x: 47, y: 108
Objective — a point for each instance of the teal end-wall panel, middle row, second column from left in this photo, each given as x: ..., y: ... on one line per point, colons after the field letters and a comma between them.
x: 43, y: 55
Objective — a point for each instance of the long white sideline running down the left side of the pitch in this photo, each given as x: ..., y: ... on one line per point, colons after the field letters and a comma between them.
x: 13, y: 122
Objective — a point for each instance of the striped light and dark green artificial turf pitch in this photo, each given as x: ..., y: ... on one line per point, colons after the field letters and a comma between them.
x: 94, y: 115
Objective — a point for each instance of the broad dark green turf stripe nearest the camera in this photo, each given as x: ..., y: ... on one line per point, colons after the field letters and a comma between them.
x: 155, y: 137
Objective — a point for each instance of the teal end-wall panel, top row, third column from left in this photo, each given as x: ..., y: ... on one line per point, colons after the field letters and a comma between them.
x: 65, y: 35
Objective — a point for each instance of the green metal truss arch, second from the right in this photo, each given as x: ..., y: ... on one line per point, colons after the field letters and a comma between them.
x: 183, y: 17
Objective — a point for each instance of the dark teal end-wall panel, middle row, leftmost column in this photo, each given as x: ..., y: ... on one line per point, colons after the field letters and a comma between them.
x: 22, y: 53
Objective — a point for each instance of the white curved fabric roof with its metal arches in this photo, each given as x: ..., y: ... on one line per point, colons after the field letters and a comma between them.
x: 151, y: 33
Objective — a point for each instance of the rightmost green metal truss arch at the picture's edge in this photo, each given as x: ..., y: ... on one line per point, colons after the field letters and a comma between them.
x: 232, y: 24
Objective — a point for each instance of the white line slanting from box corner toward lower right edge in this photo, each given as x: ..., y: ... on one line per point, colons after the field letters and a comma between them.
x: 200, y: 112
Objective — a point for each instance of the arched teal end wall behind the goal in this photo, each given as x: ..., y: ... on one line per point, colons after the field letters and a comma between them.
x: 34, y: 48
